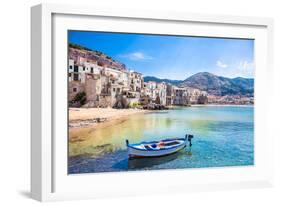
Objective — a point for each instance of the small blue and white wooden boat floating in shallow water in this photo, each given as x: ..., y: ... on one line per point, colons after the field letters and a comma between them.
x: 157, y: 148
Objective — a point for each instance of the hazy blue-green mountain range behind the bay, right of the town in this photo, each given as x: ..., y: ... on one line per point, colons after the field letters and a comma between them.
x: 213, y: 84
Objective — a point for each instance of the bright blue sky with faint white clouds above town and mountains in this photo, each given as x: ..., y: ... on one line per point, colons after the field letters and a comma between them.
x: 173, y: 57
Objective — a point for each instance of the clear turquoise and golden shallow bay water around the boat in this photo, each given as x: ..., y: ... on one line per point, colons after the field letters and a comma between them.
x: 223, y: 136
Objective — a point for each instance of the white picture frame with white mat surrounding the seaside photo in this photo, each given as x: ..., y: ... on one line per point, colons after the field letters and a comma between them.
x: 49, y: 179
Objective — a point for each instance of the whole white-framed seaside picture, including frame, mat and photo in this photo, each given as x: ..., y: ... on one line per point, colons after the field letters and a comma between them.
x: 137, y: 102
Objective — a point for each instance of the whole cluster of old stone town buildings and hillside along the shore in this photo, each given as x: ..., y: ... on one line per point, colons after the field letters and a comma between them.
x: 105, y: 82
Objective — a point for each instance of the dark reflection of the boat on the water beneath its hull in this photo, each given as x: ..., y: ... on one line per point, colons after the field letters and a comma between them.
x: 147, y: 162
